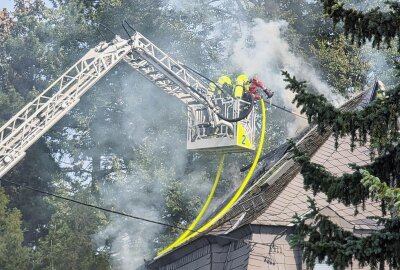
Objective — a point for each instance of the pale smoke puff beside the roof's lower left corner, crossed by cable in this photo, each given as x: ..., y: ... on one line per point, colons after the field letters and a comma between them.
x: 132, y: 241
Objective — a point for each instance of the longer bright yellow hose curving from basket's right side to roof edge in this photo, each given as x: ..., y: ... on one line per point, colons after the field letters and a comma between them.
x: 234, y: 198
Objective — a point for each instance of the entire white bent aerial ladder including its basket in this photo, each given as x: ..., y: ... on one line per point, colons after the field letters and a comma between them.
x: 206, y: 131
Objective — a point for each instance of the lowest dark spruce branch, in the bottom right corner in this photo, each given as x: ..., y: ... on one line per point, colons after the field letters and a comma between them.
x: 321, y: 239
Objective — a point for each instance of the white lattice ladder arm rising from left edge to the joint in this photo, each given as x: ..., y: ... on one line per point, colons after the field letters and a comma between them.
x: 39, y: 115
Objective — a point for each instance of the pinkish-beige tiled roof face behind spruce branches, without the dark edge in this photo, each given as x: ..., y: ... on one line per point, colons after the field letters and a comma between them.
x: 293, y: 198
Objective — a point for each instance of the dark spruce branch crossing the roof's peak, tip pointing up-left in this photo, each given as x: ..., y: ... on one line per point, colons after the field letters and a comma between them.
x: 378, y: 121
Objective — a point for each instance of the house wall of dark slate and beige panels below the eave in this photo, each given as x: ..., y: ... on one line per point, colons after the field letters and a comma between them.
x: 267, y: 248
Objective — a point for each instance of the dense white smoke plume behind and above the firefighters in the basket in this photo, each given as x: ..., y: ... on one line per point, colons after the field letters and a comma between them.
x: 263, y: 51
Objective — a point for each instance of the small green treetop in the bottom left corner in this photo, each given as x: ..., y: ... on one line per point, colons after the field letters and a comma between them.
x: 13, y: 255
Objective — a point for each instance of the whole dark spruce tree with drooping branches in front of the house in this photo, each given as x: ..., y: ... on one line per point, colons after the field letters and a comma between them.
x: 377, y: 124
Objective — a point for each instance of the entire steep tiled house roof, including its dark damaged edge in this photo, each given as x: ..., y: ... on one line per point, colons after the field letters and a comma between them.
x: 277, y: 193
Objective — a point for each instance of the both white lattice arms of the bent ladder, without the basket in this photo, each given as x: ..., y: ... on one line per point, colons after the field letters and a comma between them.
x: 39, y: 115
